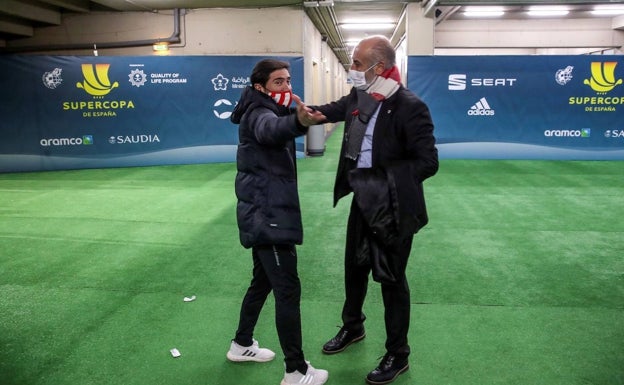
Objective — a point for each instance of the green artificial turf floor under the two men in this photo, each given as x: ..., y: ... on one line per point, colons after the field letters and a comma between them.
x: 517, y: 279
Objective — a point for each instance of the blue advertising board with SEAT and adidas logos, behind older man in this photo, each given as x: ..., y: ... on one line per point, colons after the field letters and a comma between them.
x: 524, y: 107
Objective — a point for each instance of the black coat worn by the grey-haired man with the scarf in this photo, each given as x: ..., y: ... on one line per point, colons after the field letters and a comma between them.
x: 403, y: 149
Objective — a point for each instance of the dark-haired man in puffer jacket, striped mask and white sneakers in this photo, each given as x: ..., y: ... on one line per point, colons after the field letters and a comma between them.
x: 269, y: 216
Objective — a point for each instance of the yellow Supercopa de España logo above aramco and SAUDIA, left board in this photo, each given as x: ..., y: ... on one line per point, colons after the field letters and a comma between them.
x: 97, y: 84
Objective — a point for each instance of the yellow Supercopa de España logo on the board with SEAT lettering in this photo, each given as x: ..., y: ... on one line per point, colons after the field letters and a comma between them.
x: 603, y: 81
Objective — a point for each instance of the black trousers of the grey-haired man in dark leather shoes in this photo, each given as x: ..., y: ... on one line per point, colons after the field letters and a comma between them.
x: 396, y: 297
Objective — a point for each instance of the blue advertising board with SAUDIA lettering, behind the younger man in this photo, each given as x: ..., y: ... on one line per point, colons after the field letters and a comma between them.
x: 68, y: 112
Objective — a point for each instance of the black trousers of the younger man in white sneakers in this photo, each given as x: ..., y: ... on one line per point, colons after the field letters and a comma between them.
x: 275, y: 268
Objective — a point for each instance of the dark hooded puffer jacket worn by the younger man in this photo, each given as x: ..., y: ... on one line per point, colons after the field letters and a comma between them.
x: 268, y: 211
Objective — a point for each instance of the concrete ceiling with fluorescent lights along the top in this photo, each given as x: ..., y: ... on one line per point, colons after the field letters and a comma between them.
x: 21, y: 19
